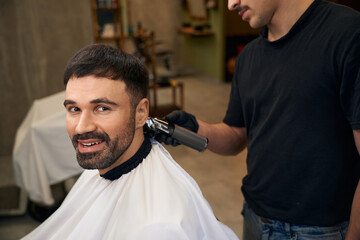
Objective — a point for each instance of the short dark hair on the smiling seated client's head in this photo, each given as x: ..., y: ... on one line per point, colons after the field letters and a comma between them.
x: 112, y: 63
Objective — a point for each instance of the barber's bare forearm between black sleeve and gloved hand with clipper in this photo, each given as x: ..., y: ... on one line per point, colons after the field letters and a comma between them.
x: 223, y: 139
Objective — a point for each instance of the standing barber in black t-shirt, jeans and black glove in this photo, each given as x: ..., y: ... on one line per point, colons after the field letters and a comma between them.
x: 295, y: 104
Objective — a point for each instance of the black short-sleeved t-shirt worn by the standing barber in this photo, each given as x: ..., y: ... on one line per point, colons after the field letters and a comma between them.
x: 299, y: 99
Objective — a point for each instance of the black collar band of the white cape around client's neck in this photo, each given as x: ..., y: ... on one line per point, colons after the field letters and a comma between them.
x: 130, y: 164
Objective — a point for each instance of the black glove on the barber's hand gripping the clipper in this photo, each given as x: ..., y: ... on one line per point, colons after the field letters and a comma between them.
x: 181, y: 118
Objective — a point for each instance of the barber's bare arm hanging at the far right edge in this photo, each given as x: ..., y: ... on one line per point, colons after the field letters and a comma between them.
x: 354, y: 226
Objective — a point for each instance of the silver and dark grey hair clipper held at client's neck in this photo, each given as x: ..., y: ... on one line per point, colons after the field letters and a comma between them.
x: 183, y: 135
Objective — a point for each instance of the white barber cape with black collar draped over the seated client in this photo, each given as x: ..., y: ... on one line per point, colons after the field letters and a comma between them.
x: 152, y: 198
